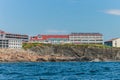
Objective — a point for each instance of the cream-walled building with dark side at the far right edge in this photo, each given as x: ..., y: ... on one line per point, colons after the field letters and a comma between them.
x: 113, y: 42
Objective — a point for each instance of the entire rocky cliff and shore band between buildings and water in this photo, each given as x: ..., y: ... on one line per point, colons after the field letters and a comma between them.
x: 60, y: 53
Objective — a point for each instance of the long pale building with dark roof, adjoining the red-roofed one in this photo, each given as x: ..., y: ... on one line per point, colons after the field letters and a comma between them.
x: 86, y: 38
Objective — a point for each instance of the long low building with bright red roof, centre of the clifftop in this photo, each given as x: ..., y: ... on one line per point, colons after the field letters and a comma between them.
x: 53, y: 39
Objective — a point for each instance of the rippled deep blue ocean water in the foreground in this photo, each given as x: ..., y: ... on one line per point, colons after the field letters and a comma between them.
x: 60, y: 71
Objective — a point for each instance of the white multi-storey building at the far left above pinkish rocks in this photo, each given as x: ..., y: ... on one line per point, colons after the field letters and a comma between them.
x: 10, y: 40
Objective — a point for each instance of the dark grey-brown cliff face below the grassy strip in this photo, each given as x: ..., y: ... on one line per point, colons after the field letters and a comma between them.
x: 78, y: 53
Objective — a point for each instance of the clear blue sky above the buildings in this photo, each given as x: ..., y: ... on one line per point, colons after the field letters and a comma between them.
x: 34, y: 17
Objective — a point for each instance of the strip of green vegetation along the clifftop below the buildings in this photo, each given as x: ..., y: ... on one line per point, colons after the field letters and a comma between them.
x: 30, y: 45
